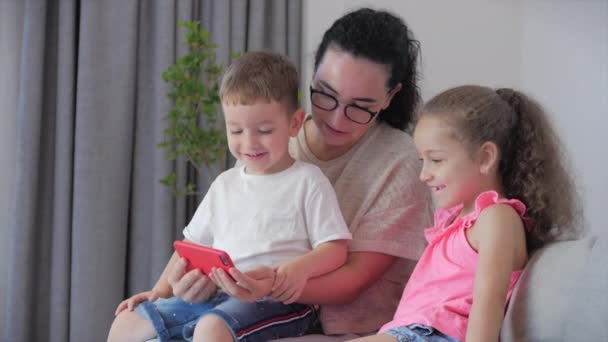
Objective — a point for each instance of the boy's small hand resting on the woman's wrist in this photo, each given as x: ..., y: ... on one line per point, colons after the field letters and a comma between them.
x: 289, y: 283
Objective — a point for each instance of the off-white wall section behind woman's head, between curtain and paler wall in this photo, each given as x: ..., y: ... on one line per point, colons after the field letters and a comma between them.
x: 462, y: 41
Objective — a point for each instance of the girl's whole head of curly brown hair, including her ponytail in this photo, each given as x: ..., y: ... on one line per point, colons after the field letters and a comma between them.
x: 532, y: 165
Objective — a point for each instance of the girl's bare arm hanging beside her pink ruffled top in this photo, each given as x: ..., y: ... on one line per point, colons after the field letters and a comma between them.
x: 499, y: 238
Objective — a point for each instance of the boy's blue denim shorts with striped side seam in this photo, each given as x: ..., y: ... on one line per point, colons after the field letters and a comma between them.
x: 262, y: 320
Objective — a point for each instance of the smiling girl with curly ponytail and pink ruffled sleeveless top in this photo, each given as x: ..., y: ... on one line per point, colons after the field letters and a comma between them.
x: 492, y: 162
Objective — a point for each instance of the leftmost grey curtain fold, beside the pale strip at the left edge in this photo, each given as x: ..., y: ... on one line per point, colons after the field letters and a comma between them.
x: 28, y: 255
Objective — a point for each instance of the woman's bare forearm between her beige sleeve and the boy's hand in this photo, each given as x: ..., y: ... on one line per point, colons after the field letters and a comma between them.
x: 344, y: 285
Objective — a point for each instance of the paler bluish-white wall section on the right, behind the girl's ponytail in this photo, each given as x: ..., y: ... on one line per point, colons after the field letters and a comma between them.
x: 565, y: 66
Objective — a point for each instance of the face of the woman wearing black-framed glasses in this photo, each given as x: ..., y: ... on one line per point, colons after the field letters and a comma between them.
x: 352, y: 81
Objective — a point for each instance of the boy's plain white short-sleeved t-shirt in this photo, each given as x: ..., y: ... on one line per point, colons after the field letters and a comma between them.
x: 268, y: 219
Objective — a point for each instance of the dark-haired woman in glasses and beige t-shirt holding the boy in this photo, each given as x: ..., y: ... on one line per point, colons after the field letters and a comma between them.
x: 363, y: 95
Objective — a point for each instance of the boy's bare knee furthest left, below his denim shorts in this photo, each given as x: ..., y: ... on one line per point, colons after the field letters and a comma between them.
x: 130, y: 326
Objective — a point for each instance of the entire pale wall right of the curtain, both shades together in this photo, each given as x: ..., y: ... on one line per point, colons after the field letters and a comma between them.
x: 555, y: 49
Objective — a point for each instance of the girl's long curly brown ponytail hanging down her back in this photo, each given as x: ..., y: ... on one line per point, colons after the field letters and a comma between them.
x: 533, y: 170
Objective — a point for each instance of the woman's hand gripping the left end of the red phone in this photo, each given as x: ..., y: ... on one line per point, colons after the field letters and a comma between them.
x: 192, y: 287
